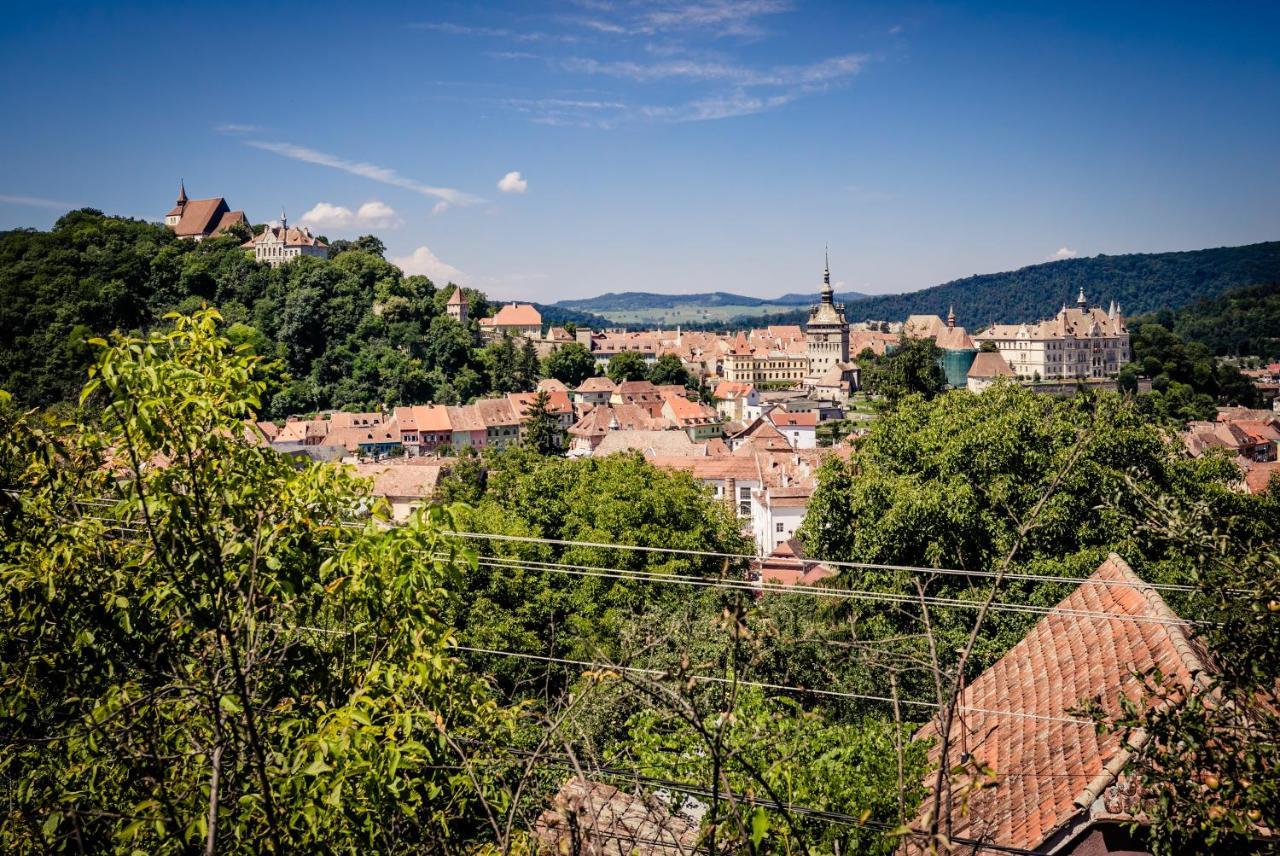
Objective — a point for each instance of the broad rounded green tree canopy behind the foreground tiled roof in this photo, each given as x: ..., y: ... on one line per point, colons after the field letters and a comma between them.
x: 950, y: 483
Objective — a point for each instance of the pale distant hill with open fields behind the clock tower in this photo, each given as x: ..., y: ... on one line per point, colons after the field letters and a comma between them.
x: 702, y: 309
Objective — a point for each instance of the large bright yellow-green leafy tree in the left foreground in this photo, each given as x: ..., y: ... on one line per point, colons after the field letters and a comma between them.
x: 198, y: 656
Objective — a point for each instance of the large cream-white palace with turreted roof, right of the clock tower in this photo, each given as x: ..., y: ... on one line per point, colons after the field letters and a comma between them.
x: 1078, y: 342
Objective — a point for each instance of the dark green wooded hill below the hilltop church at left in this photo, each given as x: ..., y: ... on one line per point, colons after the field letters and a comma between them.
x: 346, y: 332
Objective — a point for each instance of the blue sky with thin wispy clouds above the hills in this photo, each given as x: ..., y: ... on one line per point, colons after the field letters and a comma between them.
x: 662, y: 147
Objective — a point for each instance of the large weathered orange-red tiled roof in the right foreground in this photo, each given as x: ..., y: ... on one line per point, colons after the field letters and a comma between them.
x: 1052, y: 770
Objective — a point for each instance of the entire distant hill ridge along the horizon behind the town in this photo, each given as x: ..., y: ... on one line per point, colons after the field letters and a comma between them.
x: 1139, y: 282
